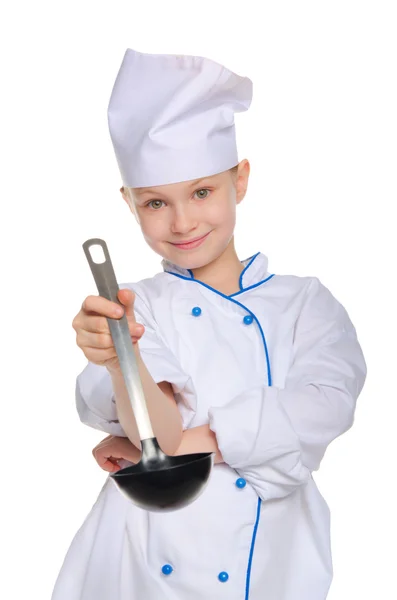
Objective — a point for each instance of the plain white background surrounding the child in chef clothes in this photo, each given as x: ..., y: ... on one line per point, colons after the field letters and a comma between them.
x: 321, y: 137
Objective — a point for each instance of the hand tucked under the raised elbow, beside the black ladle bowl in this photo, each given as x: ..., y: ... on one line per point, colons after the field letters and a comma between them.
x: 112, y: 449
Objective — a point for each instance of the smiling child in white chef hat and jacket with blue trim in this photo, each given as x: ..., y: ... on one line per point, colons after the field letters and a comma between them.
x: 263, y: 370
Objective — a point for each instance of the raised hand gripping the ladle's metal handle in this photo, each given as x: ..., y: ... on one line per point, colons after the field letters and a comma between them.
x: 92, y: 329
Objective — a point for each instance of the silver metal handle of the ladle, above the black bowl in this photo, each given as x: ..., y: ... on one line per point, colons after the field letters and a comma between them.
x: 107, y: 285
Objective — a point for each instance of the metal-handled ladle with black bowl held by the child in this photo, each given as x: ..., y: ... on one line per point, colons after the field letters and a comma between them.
x: 159, y: 482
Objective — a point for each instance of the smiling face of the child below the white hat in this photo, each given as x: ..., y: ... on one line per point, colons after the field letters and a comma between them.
x: 172, y: 217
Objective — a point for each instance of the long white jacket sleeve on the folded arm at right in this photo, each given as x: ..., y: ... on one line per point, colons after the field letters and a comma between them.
x: 275, y: 437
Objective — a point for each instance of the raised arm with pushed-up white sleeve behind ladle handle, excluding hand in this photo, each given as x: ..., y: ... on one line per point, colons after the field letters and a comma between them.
x: 101, y: 396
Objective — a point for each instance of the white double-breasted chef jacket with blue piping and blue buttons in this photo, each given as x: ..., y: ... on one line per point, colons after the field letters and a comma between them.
x: 275, y: 369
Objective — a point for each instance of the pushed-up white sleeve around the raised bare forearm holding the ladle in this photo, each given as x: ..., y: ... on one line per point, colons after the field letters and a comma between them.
x: 95, y: 401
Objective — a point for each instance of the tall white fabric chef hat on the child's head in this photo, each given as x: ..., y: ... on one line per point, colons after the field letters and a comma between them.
x: 171, y: 118
